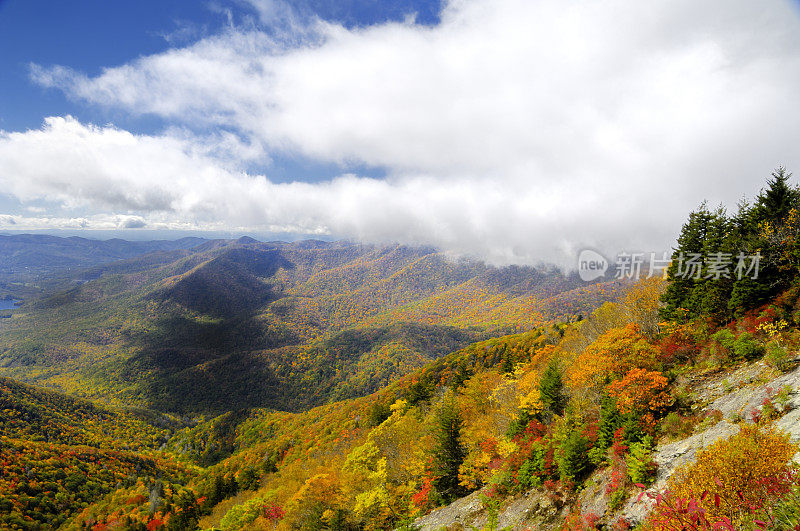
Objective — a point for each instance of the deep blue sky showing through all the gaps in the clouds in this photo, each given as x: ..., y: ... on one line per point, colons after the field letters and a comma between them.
x: 89, y: 35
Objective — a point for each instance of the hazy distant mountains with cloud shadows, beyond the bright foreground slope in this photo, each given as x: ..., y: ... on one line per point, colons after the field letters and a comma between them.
x: 205, y: 326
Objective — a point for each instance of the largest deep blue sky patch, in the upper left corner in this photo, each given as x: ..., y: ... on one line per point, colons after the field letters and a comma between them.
x: 88, y: 35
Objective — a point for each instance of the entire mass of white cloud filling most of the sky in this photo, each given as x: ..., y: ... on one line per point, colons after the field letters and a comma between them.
x: 515, y: 129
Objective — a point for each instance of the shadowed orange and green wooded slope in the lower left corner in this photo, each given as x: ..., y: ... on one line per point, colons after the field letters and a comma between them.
x: 60, y: 454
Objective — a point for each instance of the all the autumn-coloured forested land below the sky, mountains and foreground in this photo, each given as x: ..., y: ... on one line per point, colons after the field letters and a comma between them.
x: 240, y: 384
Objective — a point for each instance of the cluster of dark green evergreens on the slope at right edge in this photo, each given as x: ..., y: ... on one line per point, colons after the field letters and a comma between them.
x: 725, y: 265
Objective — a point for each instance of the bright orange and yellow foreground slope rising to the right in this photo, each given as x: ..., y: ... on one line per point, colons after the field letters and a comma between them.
x: 563, y: 423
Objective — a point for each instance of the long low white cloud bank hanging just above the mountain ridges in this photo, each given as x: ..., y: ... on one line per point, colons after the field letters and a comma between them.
x: 165, y: 182
